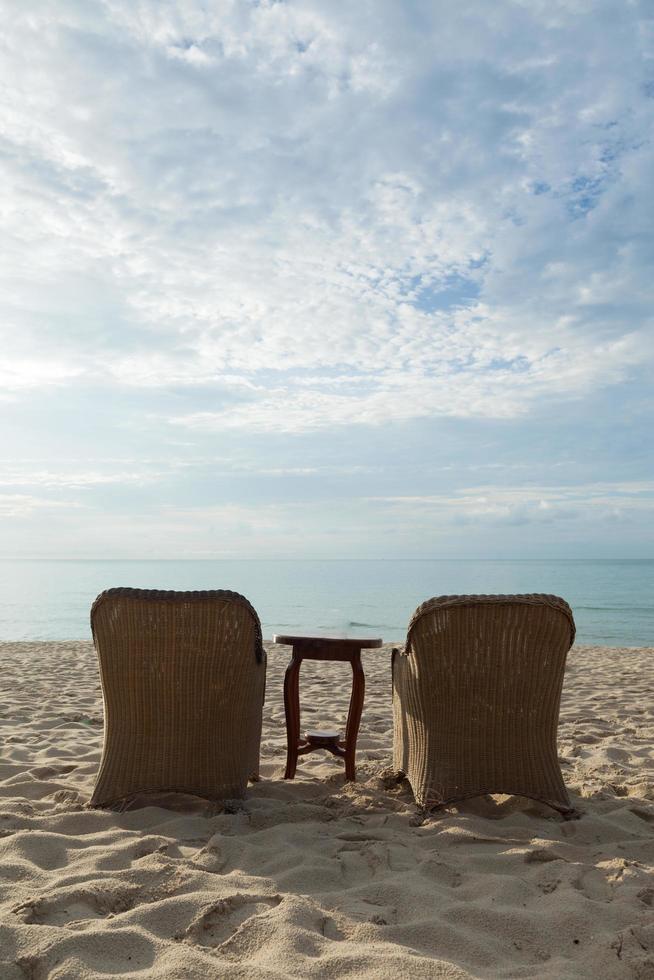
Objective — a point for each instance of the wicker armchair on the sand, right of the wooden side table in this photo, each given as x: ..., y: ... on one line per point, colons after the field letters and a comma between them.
x: 476, y: 694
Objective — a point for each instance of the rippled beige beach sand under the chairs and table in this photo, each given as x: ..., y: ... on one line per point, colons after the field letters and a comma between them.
x: 316, y: 877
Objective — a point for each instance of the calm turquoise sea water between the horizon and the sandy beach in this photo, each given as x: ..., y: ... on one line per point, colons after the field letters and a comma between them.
x: 612, y: 600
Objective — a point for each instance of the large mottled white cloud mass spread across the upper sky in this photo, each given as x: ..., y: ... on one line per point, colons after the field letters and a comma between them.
x: 238, y: 220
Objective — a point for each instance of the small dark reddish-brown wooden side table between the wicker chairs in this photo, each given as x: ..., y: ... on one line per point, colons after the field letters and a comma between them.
x: 323, y: 648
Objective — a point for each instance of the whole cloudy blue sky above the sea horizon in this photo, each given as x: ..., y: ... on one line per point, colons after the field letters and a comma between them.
x: 308, y: 279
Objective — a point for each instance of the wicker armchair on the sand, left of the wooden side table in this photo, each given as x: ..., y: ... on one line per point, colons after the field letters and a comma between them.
x: 183, y: 680
